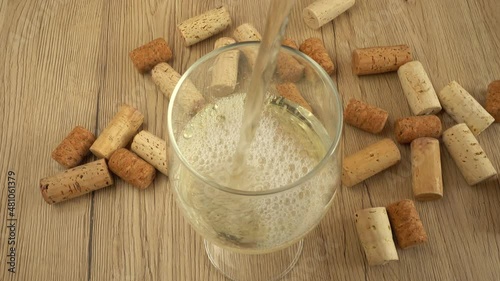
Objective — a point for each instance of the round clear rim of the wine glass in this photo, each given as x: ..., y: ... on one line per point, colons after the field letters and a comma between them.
x: 333, y: 147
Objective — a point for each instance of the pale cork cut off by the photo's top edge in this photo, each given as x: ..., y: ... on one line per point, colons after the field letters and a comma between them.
x: 322, y: 12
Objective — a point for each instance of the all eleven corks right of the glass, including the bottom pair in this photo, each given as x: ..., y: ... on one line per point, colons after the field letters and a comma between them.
x: 376, y: 226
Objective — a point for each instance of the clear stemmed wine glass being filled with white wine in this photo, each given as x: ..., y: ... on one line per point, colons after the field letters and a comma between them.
x: 253, y: 224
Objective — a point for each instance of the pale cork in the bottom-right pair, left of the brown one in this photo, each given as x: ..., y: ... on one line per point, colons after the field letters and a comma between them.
x: 374, y: 232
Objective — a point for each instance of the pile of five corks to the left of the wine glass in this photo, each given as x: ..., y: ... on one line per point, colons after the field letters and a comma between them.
x: 136, y: 165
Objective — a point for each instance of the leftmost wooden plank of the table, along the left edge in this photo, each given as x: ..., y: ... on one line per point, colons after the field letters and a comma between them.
x: 49, y: 84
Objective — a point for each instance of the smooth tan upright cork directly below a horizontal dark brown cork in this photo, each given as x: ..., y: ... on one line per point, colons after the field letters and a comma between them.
x: 427, y: 179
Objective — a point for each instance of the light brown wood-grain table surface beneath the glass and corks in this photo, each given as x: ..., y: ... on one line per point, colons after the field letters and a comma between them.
x: 65, y: 63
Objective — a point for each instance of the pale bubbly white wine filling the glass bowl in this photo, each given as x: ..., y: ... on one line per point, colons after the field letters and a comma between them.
x: 286, y: 148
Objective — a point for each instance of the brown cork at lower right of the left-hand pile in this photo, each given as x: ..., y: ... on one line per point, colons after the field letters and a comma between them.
x: 131, y: 168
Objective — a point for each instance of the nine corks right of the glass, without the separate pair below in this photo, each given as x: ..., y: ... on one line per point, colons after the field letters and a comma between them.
x: 422, y: 130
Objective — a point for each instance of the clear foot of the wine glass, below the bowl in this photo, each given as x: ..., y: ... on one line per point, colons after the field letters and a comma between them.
x: 262, y: 267
